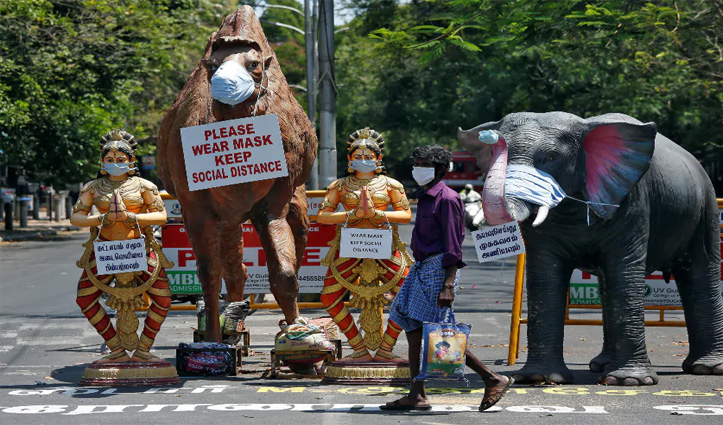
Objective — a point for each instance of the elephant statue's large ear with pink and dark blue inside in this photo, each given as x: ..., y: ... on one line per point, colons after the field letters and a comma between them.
x: 618, y: 149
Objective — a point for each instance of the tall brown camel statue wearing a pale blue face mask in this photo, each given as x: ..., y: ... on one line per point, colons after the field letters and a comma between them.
x: 276, y: 207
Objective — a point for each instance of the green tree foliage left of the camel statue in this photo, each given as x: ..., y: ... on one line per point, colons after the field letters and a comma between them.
x: 70, y: 70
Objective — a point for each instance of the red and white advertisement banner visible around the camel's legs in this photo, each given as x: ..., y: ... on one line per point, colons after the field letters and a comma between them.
x: 183, y: 278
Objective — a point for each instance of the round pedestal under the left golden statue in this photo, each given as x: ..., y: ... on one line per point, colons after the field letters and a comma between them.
x: 130, y: 374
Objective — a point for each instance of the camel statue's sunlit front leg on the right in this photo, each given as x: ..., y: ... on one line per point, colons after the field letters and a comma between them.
x: 277, y: 239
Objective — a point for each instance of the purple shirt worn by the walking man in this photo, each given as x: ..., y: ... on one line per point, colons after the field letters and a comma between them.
x: 439, y: 225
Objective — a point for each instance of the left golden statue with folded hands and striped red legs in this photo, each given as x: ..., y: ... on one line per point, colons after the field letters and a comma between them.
x: 128, y: 206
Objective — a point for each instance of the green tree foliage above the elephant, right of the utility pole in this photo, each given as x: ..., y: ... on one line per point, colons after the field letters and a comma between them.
x: 445, y: 64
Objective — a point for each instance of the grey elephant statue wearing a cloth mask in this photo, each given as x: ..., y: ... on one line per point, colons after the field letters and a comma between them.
x: 610, y: 196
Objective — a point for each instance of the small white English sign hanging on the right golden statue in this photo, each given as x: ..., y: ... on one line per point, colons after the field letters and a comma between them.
x: 366, y: 243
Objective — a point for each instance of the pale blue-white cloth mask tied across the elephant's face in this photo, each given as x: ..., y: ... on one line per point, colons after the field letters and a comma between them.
x: 532, y: 185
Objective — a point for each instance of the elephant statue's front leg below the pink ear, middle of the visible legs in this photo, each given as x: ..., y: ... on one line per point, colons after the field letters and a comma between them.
x: 624, y: 289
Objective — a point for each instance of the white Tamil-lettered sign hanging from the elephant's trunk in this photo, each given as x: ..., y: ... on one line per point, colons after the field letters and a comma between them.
x: 496, y: 242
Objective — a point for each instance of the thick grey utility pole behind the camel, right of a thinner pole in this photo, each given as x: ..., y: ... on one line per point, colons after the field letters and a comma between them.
x: 327, y: 93
